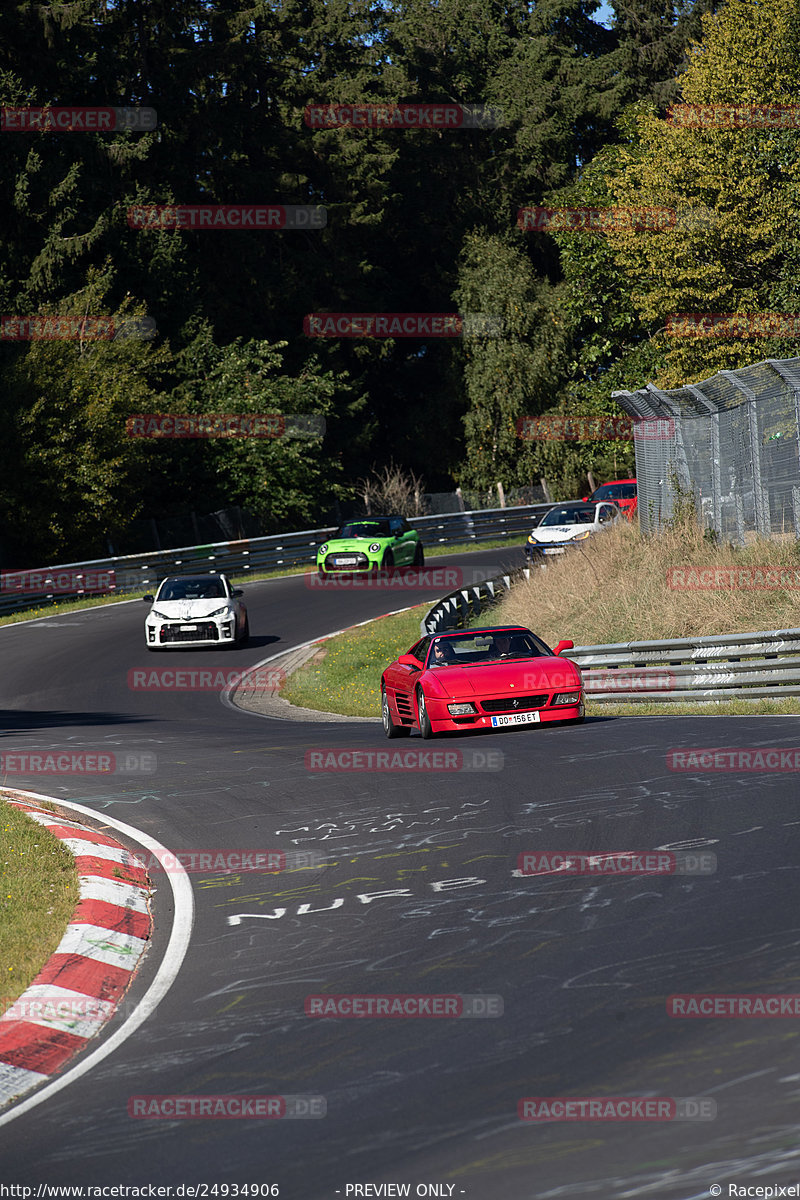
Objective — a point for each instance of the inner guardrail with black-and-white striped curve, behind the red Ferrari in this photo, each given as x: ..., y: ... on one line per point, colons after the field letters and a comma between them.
x: 727, y: 667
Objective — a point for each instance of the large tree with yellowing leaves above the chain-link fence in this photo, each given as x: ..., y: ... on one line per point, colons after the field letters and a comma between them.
x: 731, y: 172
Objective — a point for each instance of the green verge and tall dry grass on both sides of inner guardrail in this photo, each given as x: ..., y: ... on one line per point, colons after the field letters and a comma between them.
x: 613, y: 591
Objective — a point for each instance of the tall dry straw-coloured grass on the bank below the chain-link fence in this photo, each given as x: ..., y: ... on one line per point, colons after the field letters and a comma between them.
x: 615, y: 590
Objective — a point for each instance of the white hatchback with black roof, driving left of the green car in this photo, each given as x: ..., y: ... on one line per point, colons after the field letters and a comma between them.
x: 196, y: 610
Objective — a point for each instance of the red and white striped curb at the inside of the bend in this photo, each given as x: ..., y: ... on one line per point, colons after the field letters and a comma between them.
x: 81, y: 986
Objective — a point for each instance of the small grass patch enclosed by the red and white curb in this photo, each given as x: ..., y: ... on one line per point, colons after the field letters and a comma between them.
x: 39, y: 892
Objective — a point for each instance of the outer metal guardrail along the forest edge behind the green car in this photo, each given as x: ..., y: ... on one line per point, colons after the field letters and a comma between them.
x: 141, y: 573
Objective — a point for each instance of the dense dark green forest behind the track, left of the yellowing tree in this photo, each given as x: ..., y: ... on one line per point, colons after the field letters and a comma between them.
x: 418, y: 221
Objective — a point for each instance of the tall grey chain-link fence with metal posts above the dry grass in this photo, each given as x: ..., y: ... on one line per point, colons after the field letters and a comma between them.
x: 732, y: 442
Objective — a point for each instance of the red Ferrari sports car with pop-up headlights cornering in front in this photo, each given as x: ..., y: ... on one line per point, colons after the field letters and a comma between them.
x: 479, y: 679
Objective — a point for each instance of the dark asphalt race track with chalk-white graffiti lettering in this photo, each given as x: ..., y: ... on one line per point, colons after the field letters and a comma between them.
x: 418, y: 895
